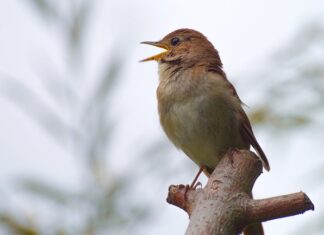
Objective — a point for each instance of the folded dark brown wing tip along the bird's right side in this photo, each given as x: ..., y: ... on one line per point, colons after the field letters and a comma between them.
x: 248, y: 136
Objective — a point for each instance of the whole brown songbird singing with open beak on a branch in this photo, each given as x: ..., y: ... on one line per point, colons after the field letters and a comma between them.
x: 199, y: 108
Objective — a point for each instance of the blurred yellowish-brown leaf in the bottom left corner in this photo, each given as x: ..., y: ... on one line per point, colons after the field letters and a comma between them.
x: 16, y: 227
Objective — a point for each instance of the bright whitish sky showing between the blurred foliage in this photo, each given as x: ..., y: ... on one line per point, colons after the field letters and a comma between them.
x: 246, y: 35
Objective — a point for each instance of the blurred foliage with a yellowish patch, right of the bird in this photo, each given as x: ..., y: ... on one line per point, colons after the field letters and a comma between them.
x: 294, y: 93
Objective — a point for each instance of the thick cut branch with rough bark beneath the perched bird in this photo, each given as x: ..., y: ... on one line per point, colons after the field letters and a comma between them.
x: 224, y: 206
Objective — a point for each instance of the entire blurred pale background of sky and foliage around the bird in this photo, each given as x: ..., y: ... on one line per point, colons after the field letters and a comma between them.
x: 81, y: 148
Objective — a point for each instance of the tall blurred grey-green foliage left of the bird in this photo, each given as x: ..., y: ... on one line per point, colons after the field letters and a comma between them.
x: 81, y: 123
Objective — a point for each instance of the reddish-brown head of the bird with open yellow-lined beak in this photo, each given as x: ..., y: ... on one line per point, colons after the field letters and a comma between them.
x: 184, y: 46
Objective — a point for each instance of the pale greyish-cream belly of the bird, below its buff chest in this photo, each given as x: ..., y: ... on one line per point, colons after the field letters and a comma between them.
x: 204, y: 130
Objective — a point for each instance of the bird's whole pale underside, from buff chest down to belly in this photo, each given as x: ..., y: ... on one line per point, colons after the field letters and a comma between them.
x: 199, y: 118
